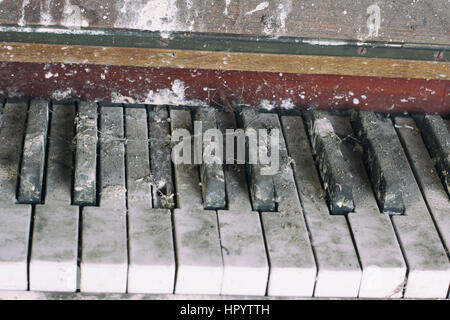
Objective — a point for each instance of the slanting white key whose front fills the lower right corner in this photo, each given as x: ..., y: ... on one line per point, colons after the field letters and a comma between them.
x: 427, y: 261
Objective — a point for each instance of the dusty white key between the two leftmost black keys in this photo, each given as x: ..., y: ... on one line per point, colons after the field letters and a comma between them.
x: 54, y: 252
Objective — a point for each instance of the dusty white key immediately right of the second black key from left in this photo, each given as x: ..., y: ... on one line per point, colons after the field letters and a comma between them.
x: 104, y: 235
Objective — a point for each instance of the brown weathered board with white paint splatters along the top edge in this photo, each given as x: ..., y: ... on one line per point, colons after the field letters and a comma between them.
x: 399, y: 21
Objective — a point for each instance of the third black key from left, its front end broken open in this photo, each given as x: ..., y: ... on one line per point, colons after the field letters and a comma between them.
x: 160, y: 159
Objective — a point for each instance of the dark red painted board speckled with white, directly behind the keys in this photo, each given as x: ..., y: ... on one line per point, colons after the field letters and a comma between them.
x: 103, y: 83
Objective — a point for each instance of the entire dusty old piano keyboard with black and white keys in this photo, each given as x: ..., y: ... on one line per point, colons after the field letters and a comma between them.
x: 91, y: 201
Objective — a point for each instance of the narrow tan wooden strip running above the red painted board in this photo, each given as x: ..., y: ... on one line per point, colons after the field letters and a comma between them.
x: 213, y: 60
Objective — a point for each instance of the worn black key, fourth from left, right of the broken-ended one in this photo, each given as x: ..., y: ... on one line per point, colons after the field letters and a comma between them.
x: 211, y: 170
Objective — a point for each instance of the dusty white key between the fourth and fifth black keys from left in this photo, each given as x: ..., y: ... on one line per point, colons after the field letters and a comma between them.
x: 246, y: 268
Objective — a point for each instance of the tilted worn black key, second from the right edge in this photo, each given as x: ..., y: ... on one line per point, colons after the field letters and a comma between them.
x: 378, y: 146
